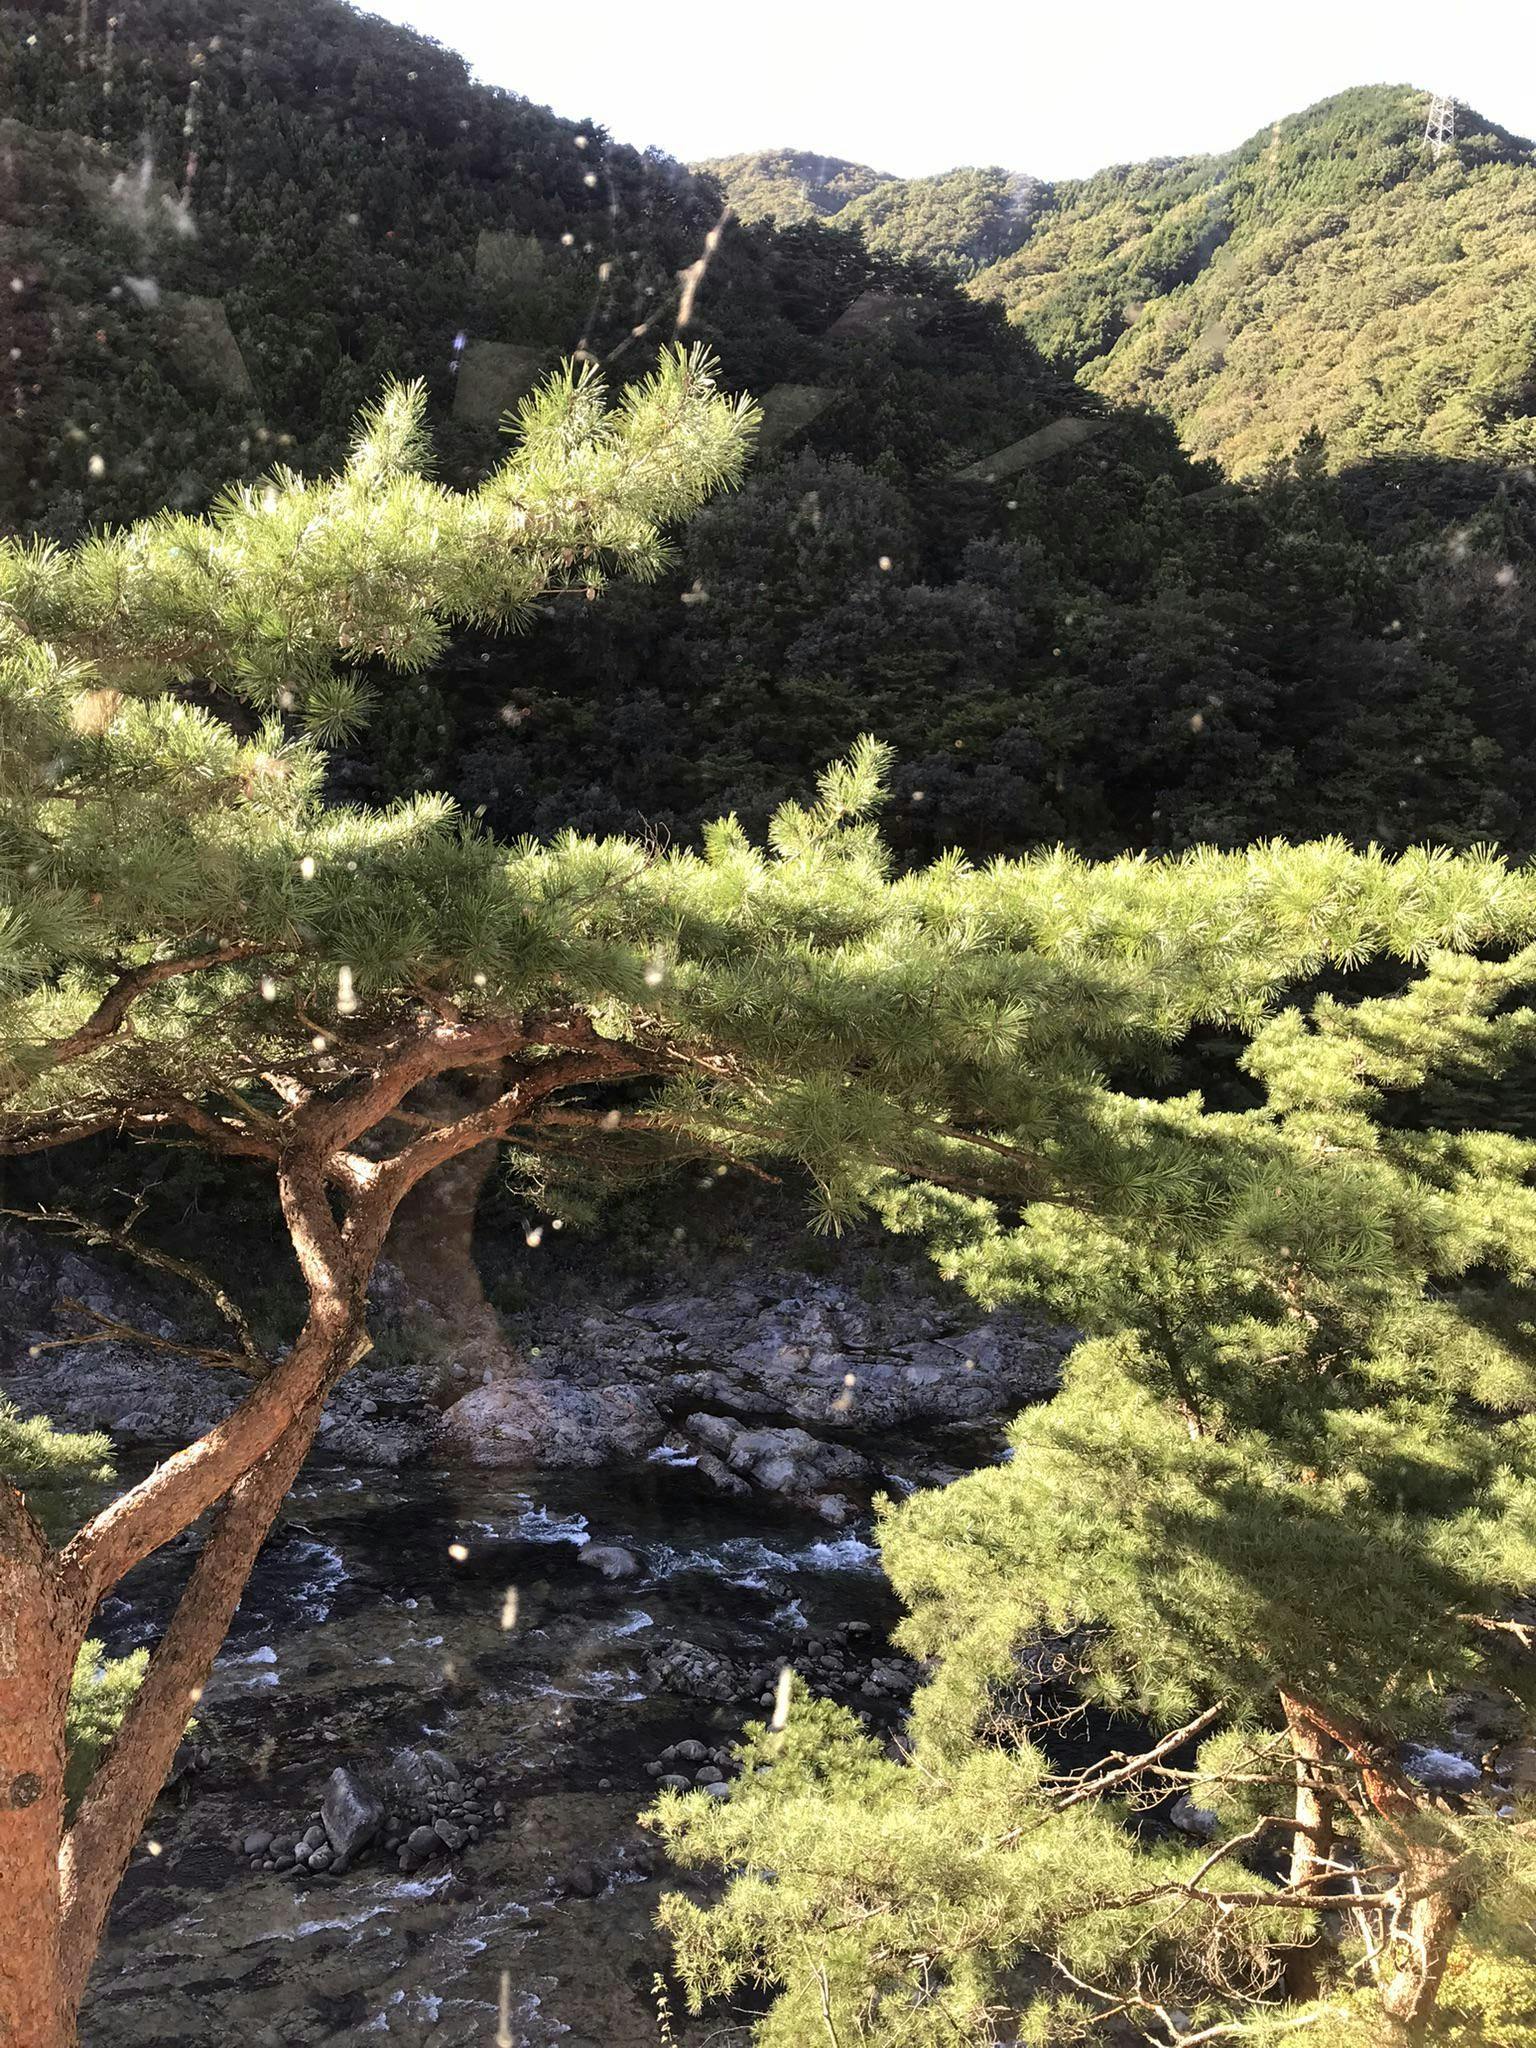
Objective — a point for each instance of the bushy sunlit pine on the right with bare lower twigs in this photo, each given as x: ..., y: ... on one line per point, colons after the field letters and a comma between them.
x: 1279, y: 1523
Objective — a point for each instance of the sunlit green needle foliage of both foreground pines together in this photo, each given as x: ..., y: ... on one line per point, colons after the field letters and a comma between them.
x: 1291, y: 1459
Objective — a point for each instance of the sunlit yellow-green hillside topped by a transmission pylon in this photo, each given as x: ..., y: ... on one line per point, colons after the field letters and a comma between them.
x: 1328, y: 273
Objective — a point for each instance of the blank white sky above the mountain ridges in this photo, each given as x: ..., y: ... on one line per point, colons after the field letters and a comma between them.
x: 1033, y: 85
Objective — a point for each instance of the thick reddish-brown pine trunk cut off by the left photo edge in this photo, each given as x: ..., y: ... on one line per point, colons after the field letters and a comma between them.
x: 38, y: 1648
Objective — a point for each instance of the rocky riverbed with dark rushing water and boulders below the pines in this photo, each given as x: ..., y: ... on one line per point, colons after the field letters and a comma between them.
x: 546, y: 1558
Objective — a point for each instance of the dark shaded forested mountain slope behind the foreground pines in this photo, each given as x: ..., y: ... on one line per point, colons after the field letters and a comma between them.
x: 1066, y: 628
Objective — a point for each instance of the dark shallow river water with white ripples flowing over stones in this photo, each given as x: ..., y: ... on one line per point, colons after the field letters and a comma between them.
x: 450, y: 1609
